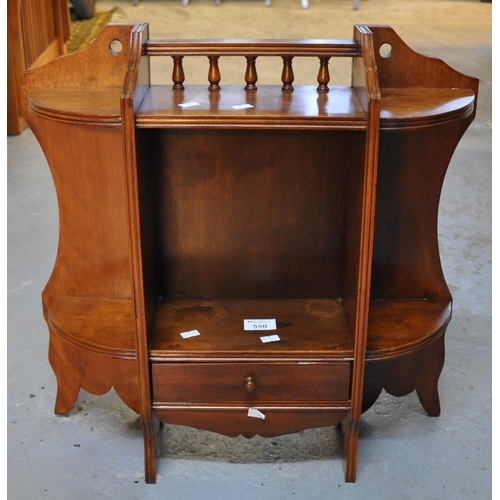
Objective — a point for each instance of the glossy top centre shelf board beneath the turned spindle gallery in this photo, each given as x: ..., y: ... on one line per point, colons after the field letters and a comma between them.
x: 305, y: 107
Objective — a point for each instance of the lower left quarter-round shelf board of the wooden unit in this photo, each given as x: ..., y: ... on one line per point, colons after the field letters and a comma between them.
x: 103, y: 326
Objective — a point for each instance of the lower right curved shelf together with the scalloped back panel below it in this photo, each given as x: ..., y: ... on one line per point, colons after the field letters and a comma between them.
x: 406, y: 350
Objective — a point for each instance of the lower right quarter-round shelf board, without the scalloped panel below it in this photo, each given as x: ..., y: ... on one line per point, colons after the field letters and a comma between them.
x: 405, y: 326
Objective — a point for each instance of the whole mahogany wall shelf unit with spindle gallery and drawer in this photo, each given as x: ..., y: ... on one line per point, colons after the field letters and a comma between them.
x: 193, y: 208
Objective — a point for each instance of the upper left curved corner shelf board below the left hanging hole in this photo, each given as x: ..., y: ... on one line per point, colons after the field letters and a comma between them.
x: 92, y: 106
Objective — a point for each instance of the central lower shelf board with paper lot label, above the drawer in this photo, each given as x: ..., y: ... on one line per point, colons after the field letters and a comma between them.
x: 307, y: 328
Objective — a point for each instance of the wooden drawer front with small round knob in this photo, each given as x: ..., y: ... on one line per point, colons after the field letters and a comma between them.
x: 250, y: 382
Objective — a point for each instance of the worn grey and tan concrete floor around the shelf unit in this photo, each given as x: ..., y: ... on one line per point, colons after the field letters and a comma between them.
x: 96, y: 451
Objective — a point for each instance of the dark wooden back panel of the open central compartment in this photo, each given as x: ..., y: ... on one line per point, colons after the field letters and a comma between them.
x: 250, y: 214
